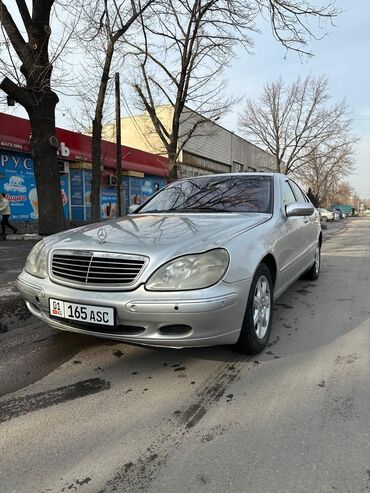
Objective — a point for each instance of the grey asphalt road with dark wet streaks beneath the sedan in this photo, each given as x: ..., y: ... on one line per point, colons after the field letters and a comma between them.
x: 79, y: 414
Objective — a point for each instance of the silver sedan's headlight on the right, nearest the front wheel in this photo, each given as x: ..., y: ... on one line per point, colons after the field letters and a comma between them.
x: 190, y: 272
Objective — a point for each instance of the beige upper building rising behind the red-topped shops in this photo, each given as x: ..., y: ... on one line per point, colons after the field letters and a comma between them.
x: 211, y: 149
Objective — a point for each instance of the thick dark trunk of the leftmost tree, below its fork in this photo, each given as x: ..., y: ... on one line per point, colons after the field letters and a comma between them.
x: 44, y: 152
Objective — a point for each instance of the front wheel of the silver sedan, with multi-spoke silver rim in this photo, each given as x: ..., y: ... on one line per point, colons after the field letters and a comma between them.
x: 257, y: 322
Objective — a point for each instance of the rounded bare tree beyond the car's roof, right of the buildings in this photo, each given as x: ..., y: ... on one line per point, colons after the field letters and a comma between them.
x: 294, y: 121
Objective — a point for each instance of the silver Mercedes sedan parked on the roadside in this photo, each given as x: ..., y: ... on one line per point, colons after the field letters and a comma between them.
x: 200, y: 263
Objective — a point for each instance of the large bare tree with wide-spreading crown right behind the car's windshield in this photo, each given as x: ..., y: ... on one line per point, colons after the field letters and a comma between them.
x: 183, y: 55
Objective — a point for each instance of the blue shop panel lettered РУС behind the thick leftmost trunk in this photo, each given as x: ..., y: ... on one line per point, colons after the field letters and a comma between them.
x: 17, y: 180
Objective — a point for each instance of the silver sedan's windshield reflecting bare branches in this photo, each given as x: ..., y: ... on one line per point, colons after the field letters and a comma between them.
x: 214, y: 194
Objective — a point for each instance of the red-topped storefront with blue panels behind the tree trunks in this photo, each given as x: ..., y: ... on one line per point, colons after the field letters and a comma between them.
x: 143, y: 173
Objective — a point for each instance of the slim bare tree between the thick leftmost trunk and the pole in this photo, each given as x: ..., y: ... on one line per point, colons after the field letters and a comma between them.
x: 100, y: 33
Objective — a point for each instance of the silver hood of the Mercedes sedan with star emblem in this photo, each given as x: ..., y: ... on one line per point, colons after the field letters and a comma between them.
x: 147, y: 234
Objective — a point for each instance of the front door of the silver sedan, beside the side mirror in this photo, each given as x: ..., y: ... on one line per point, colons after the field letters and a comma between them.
x: 293, y: 245
